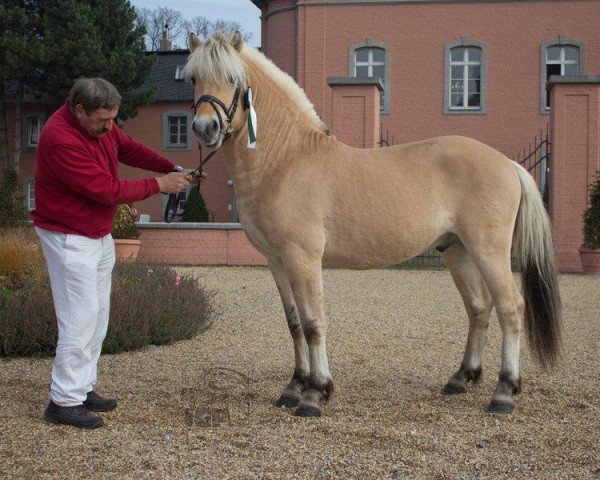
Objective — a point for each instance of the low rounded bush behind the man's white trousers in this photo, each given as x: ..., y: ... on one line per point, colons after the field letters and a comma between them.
x: 151, y: 304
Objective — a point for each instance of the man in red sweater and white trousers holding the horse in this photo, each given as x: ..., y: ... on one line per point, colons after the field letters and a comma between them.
x: 77, y: 191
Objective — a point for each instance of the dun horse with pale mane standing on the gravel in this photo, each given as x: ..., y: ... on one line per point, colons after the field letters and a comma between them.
x: 308, y: 202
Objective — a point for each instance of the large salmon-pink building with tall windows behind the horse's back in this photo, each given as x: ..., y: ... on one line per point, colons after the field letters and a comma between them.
x: 475, y: 68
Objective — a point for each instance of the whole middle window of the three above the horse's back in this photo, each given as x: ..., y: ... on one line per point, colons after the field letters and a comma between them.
x: 464, y: 80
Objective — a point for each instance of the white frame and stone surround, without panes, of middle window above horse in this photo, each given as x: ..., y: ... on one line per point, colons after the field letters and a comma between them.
x: 465, y: 44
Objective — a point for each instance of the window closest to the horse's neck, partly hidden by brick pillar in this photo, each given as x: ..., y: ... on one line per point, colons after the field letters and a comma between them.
x: 371, y: 60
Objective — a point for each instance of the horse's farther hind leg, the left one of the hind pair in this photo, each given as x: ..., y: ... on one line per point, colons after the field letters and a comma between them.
x: 478, y: 304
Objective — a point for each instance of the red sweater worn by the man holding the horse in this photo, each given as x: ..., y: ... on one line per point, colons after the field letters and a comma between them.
x: 77, y: 187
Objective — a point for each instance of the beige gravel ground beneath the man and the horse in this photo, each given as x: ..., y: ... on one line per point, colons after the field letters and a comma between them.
x: 394, y: 338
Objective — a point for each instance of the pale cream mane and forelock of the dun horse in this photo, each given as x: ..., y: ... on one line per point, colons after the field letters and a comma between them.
x: 217, y: 62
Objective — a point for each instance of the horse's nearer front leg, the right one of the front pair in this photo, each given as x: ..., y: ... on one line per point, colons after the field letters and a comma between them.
x: 306, y: 279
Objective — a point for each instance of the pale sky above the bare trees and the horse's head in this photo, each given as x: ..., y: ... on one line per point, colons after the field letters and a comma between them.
x: 241, y: 11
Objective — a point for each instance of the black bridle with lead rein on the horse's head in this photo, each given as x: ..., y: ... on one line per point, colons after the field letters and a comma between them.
x: 226, y: 131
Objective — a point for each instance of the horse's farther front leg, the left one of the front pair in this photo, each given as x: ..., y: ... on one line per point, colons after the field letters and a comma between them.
x: 292, y: 393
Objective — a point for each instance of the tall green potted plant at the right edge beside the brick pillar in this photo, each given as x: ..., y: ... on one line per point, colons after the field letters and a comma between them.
x: 589, y: 252
